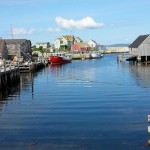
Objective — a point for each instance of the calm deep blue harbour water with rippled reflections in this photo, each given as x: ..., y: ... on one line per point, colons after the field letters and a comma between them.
x: 84, y: 105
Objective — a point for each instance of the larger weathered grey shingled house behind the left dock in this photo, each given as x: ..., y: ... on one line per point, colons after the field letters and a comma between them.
x: 20, y: 48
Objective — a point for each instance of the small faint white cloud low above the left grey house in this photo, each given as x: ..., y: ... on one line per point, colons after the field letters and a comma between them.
x: 22, y: 31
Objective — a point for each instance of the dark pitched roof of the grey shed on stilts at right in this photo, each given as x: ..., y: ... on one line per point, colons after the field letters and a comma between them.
x: 138, y: 41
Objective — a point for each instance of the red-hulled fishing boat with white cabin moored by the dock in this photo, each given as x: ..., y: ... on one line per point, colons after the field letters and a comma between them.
x: 59, y: 58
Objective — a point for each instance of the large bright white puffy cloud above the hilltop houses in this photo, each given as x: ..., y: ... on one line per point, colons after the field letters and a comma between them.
x: 85, y: 23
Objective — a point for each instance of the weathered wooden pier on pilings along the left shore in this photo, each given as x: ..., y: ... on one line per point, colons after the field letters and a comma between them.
x: 10, y: 72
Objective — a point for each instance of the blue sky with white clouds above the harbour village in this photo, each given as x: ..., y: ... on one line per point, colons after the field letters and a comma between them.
x: 105, y: 21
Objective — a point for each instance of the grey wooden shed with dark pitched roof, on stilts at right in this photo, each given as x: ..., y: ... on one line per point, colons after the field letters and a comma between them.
x: 141, y: 48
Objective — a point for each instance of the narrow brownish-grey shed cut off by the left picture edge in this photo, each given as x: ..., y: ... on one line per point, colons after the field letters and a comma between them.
x: 3, y: 50
